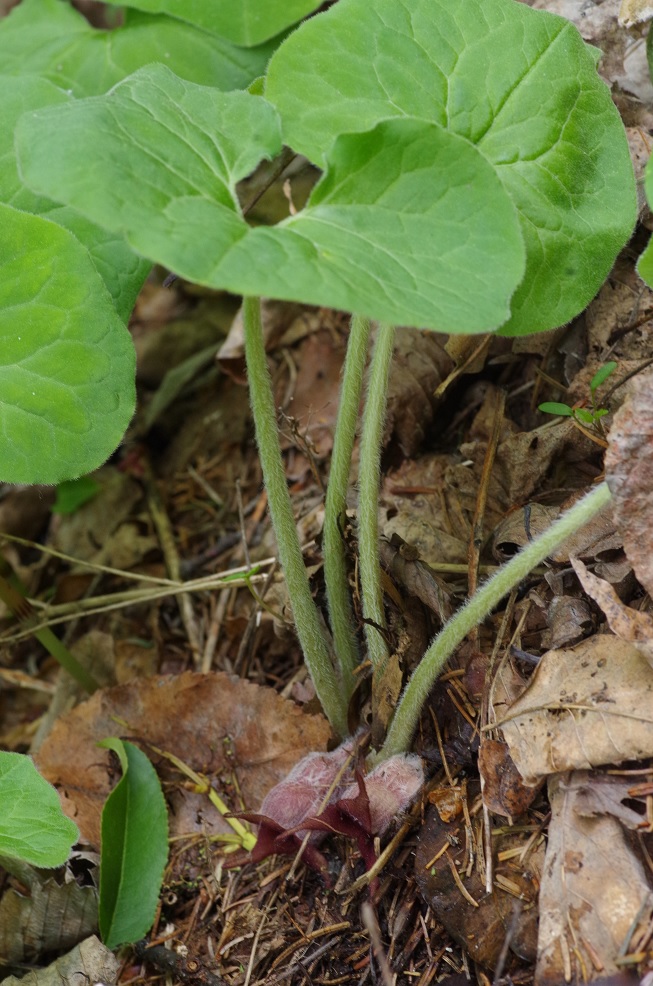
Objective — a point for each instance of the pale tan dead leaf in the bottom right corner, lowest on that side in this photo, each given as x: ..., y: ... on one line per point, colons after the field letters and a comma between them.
x: 593, y: 893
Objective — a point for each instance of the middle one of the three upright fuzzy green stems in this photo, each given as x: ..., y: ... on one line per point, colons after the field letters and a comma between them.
x: 333, y: 545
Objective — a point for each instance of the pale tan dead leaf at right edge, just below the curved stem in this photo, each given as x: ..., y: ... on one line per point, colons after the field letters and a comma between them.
x: 584, y: 706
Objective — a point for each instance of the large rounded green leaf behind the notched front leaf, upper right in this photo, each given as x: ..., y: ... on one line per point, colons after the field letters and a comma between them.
x: 520, y: 84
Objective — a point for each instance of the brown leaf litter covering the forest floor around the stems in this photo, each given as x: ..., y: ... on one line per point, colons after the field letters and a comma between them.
x: 526, y: 855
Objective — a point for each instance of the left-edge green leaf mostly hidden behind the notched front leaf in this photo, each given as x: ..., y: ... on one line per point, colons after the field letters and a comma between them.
x: 122, y: 271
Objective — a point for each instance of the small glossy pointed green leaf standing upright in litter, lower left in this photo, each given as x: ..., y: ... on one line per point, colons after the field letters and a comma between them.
x: 134, y: 848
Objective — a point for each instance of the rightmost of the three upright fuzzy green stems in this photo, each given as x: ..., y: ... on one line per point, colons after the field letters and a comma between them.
x: 368, y: 496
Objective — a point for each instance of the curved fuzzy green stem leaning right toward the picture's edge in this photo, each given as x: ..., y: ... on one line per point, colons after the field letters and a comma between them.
x: 475, y: 610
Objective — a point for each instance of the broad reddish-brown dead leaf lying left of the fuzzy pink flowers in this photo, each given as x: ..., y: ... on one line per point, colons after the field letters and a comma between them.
x: 220, y: 725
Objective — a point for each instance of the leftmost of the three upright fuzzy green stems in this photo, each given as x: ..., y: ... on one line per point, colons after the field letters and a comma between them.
x: 310, y: 631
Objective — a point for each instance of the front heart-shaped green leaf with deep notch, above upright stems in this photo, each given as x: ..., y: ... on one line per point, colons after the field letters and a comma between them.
x: 409, y: 224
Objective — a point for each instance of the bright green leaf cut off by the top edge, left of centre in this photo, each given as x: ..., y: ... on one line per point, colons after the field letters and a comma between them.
x: 246, y: 22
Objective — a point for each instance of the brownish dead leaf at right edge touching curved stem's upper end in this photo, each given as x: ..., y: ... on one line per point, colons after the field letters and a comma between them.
x: 629, y: 472
